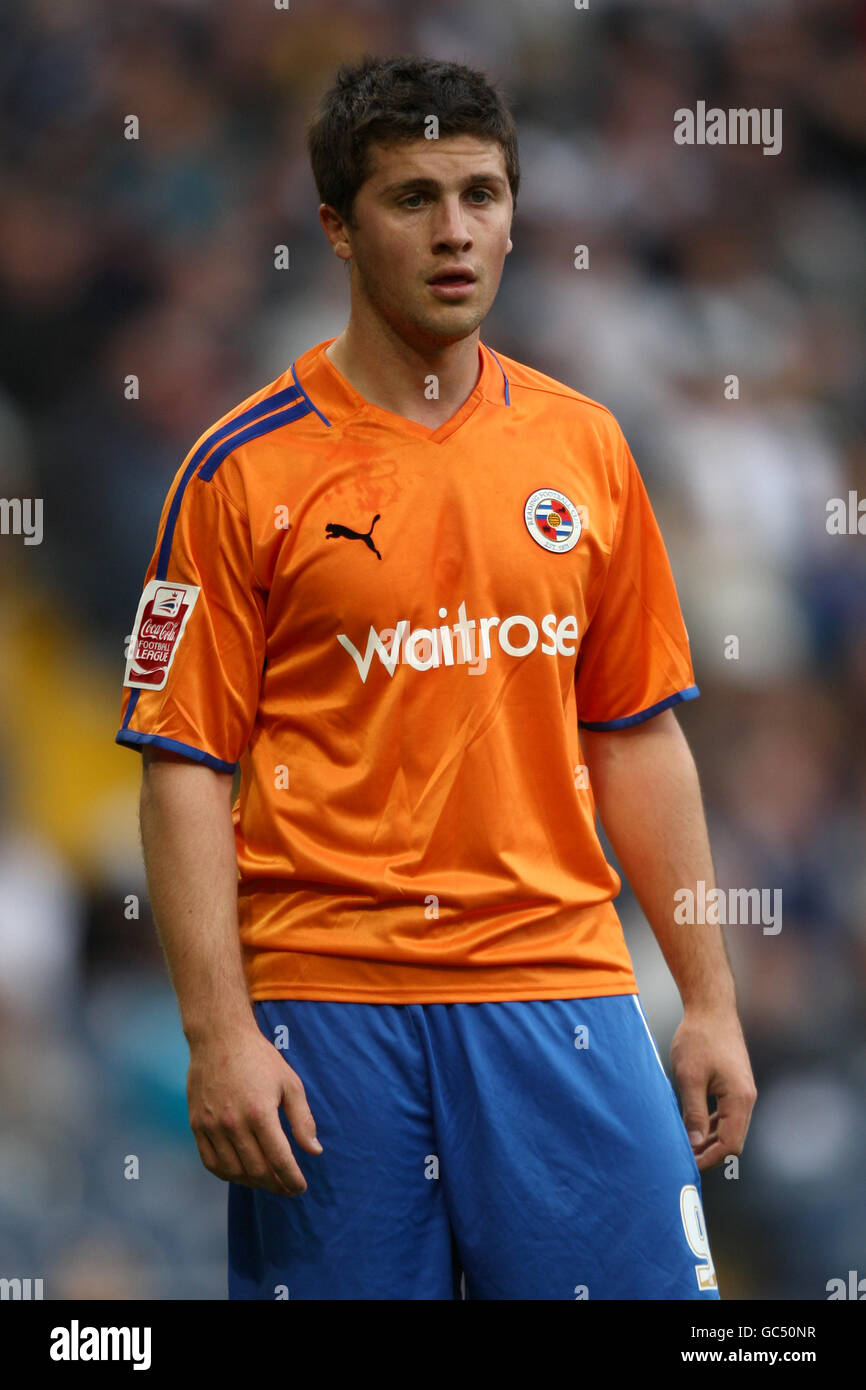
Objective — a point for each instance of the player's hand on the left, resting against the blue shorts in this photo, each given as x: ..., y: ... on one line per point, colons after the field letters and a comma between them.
x: 236, y: 1088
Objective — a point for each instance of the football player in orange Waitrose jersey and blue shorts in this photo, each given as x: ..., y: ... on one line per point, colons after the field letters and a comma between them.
x: 415, y: 591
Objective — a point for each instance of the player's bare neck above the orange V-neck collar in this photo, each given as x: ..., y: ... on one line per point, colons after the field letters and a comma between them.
x: 395, y: 376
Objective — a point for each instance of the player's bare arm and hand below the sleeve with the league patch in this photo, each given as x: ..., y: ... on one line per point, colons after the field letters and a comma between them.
x: 237, y: 1079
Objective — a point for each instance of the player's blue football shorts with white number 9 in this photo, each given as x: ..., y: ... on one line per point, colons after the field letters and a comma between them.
x: 516, y: 1150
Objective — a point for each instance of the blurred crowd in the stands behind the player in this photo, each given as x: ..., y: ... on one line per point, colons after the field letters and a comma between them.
x: 156, y: 258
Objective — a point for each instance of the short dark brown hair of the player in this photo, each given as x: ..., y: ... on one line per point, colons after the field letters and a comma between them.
x: 389, y: 101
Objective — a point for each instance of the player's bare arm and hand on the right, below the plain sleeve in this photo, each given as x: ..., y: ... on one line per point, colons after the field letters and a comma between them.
x: 648, y: 797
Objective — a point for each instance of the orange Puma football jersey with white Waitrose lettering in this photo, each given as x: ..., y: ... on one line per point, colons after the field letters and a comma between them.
x: 394, y: 630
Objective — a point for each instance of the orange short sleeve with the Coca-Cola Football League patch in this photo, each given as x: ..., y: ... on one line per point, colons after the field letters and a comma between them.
x: 197, y: 654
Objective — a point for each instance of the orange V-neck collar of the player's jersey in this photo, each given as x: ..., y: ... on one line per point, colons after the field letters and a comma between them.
x: 336, y: 400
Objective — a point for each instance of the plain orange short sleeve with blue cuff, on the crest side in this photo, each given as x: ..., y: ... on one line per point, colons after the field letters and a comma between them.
x: 635, y: 660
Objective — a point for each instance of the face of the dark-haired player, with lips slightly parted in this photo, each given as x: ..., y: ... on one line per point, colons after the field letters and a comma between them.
x: 429, y: 206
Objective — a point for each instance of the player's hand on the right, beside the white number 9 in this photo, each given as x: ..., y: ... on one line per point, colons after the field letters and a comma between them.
x: 710, y: 1057
